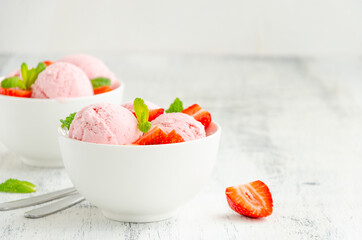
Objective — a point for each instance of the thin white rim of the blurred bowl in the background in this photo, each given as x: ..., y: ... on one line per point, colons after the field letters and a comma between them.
x: 73, y: 99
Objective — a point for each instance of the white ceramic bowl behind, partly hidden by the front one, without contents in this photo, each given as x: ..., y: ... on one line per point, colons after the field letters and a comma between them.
x: 28, y: 126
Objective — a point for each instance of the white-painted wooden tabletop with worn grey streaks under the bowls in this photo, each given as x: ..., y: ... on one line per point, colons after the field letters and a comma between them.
x: 295, y: 124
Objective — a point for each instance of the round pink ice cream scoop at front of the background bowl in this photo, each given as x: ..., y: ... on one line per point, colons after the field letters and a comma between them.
x: 62, y: 80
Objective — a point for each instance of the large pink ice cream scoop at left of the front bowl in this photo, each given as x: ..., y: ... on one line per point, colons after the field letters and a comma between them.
x: 105, y: 123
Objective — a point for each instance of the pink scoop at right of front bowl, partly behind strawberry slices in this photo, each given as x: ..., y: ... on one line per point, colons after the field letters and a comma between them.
x: 184, y: 125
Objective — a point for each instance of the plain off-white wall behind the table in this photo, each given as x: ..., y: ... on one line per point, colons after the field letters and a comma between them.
x: 255, y: 27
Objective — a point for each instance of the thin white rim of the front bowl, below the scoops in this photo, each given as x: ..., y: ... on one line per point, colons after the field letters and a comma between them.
x: 213, y: 135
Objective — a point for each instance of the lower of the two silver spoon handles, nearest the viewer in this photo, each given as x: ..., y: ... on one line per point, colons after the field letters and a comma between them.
x: 55, y: 207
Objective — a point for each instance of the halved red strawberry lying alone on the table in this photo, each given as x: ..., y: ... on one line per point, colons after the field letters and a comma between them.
x: 252, y: 199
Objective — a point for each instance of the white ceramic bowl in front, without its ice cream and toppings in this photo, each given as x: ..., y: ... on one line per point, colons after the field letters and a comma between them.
x: 140, y: 183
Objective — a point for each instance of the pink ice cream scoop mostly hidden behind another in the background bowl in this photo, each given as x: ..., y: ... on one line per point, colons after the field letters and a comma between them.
x: 93, y: 67
